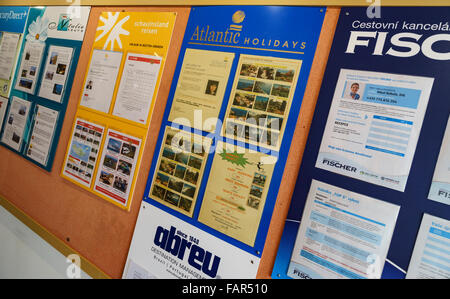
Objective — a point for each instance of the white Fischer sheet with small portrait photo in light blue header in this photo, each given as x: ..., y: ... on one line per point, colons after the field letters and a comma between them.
x: 373, y: 126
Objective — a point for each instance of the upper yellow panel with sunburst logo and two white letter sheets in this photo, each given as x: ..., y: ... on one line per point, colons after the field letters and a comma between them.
x: 126, y: 63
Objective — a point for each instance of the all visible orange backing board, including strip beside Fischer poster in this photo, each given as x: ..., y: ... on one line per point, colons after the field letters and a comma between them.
x: 98, y: 230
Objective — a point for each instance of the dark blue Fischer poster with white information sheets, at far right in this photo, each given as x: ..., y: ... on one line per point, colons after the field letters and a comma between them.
x: 374, y: 140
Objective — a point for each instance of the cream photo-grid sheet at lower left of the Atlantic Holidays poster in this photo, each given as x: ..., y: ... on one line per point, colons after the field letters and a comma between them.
x: 181, y: 163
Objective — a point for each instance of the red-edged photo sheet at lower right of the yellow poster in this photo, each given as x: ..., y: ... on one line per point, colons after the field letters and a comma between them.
x: 117, y: 166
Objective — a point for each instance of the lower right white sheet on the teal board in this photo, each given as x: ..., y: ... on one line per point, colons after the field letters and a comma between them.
x: 42, y: 134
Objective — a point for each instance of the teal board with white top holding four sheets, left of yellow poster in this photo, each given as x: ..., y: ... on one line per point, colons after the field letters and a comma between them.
x: 42, y: 82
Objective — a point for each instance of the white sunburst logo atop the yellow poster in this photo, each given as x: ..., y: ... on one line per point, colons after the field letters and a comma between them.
x: 112, y: 28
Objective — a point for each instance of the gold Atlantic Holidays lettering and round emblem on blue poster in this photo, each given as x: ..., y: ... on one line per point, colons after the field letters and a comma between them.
x: 234, y: 35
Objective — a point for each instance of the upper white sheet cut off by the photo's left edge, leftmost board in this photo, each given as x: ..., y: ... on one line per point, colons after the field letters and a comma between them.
x: 8, y: 51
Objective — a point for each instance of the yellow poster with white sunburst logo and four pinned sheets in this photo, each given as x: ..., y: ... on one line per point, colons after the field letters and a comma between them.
x: 119, y: 92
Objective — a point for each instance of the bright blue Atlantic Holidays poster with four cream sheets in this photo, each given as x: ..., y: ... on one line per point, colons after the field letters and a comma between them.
x: 229, y: 120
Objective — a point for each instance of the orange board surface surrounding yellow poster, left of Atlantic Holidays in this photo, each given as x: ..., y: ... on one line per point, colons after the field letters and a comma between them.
x: 80, y: 219
